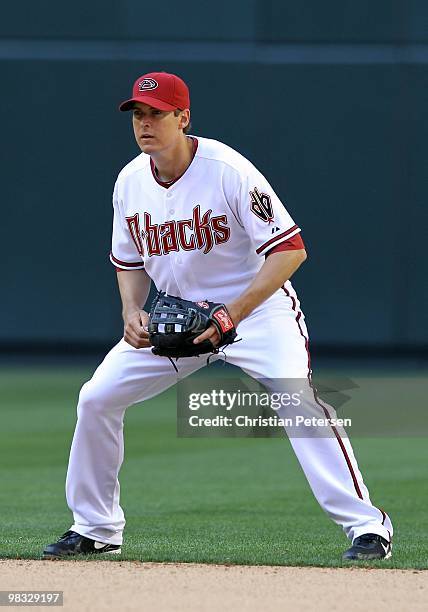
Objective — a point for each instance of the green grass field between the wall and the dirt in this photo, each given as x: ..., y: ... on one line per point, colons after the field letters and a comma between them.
x: 237, y: 501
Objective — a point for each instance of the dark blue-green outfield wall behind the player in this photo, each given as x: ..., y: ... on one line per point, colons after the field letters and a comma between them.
x: 339, y: 129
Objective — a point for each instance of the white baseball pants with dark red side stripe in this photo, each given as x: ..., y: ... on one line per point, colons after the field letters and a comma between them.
x: 273, y: 346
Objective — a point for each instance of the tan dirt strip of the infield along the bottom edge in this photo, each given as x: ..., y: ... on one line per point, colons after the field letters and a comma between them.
x: 161, y: 587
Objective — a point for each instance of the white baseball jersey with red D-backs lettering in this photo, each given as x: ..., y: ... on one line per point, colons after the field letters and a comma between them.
x: 205, y: 237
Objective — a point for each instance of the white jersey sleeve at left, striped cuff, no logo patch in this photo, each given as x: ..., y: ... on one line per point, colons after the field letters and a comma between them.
x: 126, y: 251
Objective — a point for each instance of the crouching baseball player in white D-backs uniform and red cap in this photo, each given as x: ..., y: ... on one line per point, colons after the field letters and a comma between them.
x: 201, y: 222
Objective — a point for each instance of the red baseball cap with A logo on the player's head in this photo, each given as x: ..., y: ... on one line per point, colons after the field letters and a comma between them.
x: 161, y: 90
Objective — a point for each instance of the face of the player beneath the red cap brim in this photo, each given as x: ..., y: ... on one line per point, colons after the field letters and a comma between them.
x: 156, y: 130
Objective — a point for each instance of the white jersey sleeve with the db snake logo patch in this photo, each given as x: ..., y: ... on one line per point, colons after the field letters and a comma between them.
x: 262, y: 214
